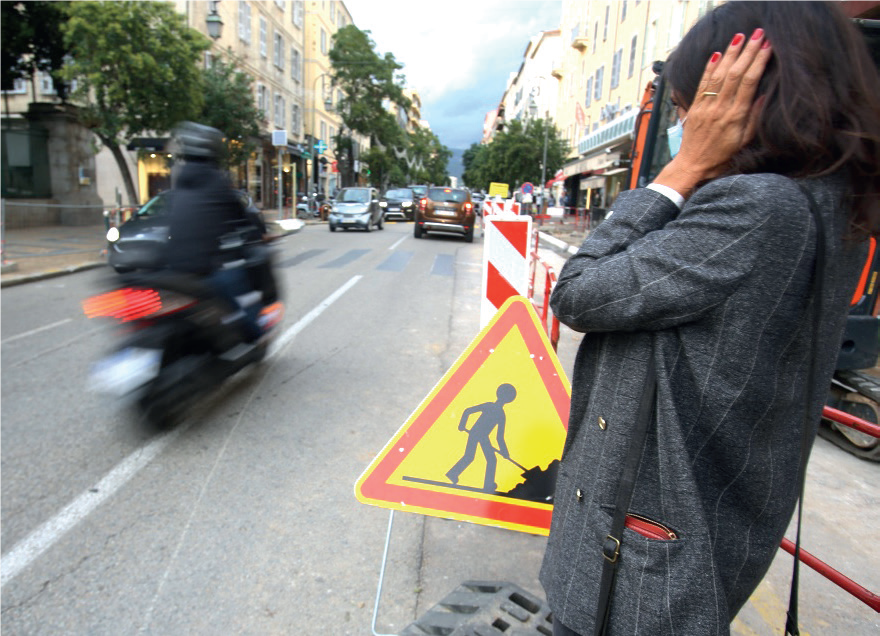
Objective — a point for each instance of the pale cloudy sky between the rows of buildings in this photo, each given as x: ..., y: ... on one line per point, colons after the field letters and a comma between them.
x: 457, y: 54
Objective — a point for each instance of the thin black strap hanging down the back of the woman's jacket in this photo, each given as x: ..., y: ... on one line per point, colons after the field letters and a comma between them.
x: 791, y: 623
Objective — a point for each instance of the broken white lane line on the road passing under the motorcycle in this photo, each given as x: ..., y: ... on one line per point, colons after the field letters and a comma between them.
x: 37, y: 542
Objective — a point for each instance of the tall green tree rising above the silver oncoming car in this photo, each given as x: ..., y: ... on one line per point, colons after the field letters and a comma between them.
x: 368, y: 82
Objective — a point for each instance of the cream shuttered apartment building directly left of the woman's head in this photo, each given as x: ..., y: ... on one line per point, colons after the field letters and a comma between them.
x: 609, y: 52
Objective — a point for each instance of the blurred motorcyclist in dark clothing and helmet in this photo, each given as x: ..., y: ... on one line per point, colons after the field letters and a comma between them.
x: 204, y: 209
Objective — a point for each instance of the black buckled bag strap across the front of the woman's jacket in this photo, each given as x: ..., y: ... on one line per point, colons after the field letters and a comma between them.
x: 611, y: 545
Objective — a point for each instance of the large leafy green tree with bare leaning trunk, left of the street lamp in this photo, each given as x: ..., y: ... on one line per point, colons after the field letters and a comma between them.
x: 135, y: 63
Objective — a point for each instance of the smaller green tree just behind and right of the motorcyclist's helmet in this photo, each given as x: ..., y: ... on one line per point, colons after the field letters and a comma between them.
x: 229, y: 107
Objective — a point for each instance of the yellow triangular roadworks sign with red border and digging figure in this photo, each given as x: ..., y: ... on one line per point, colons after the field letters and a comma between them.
x: 484, y: 445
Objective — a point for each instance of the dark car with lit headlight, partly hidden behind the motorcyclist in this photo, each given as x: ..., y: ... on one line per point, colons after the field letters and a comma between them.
x: 136, y: 243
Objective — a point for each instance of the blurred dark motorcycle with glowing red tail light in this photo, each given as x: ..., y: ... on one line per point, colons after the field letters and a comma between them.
x: 180, y: 340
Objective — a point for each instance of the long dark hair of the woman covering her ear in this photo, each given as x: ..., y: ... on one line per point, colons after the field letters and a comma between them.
x: 822, y: 91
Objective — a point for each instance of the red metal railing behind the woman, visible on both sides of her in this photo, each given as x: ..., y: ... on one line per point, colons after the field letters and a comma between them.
x: 542, y: 306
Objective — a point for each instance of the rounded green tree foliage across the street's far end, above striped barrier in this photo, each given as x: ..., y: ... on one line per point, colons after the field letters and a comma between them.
x: 514, y: 156
